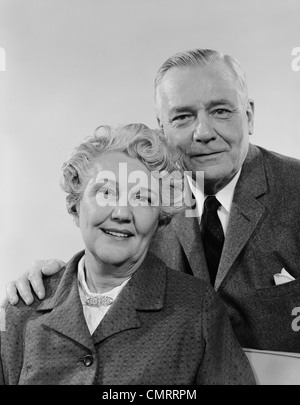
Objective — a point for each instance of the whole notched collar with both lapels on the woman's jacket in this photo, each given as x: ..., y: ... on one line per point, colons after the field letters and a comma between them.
x: 144, y: 291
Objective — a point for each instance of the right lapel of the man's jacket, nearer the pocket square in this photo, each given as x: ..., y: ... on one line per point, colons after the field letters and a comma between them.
x: 246, y: 211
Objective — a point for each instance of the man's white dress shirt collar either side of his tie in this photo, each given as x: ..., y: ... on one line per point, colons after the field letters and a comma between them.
x: 224, y: 196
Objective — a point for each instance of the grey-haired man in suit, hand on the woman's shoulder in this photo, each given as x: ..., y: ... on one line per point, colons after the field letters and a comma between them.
x: 245, y: 237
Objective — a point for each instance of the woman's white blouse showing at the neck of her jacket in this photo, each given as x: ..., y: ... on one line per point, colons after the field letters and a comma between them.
x: 94, y: 315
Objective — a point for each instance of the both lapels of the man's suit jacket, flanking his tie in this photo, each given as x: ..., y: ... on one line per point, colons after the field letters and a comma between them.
x: 246, y: 212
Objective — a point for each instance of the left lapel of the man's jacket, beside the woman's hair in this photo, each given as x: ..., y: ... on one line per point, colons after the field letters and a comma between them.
x: 188, y: 232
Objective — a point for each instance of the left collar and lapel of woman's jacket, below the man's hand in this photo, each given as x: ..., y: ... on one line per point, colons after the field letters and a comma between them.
x: 65, y: 313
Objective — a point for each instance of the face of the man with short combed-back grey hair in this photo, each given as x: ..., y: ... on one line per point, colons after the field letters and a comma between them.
x: 202, y: 111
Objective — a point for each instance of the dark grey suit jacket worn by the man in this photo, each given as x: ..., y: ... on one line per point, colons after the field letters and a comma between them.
x: 263, y: 236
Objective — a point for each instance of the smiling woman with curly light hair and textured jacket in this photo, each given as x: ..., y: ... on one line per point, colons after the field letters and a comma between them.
x: 117, y: 314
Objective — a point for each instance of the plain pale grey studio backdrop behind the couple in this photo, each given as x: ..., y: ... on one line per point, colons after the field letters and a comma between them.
x: 72, y: 65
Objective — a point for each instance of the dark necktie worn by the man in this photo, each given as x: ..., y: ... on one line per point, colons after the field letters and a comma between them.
x: 212, y: 235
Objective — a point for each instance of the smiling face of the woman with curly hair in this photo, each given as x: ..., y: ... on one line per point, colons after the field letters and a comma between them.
x: 119, y: 210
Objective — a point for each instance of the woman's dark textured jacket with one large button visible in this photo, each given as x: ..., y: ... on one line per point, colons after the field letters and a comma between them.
x: 165, y: 327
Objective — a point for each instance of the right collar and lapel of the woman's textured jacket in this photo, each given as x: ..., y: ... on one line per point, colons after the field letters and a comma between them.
x: 144, y: 291
